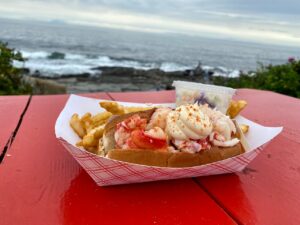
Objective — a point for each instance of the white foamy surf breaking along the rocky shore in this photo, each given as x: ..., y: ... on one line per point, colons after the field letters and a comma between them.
x: 59, y: 63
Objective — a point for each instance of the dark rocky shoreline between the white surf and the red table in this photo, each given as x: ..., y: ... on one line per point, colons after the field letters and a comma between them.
x: 114, y: 79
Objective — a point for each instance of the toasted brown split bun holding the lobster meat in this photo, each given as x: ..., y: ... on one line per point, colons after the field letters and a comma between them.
x: 153, y: 157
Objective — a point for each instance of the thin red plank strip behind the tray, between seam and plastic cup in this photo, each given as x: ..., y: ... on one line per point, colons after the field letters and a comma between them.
x: 145, y: 97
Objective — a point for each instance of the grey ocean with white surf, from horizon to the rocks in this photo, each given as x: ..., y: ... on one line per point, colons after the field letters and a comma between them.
x: 56, y: 49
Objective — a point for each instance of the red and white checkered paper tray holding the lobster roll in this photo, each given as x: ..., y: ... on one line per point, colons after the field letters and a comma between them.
x: 106, y: 172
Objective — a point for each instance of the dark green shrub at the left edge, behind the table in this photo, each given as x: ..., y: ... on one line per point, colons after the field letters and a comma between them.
x: 11, y: 80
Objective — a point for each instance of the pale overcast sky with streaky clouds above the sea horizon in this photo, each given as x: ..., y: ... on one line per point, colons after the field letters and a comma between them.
x: 271, y: 21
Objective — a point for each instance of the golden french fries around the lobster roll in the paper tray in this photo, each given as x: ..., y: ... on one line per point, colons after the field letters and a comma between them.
x: 90, y: 127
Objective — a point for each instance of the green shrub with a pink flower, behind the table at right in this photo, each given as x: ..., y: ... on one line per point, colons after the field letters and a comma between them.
x: 284, y: 79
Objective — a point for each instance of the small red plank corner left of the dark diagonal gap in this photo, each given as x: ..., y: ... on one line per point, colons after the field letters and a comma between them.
x: 11, y: 109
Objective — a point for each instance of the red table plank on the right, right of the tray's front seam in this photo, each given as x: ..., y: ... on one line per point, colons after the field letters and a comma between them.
x: 267, y: 192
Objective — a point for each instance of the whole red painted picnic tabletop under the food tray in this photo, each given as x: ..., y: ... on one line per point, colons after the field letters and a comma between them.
x: 40, y: 183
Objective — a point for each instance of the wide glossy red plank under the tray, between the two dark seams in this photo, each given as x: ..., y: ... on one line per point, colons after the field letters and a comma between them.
x: 42, y: 184
